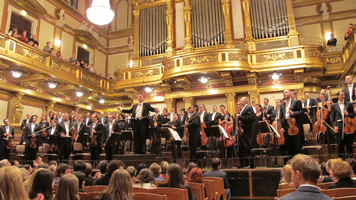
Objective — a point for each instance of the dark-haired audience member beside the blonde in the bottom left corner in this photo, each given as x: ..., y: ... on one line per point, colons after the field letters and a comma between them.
x: 42, y: 184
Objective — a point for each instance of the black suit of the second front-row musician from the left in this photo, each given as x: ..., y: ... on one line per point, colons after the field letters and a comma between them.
x: 31, y: 153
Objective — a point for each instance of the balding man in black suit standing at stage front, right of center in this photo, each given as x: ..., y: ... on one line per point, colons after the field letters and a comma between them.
x: 246, y: 117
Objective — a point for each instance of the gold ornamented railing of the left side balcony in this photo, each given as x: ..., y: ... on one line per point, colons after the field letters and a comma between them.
x: 29, y: 59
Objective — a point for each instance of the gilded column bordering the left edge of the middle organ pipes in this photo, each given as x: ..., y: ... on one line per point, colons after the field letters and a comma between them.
x: 188, y: 26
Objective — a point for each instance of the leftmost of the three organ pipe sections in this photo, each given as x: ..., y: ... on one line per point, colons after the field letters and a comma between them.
x: 153, y: 31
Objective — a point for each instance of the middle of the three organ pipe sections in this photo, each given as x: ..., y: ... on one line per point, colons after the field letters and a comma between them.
x: 207, y: 23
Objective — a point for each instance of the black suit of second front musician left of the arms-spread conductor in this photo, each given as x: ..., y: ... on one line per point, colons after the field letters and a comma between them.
x: 99, y: 132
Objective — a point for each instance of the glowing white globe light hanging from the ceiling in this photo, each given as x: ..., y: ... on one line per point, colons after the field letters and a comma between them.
x: 100, y: 13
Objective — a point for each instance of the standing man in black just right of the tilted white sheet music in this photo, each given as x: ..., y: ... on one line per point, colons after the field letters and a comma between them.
x: 193, y: 125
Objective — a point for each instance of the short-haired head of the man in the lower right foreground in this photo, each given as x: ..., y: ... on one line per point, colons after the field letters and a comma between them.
x: 305, y: 170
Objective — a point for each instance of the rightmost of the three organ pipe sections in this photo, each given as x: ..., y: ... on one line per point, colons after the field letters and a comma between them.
x: 269, y: 18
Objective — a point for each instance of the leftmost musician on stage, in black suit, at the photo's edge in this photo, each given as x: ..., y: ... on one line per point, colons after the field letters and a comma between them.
x: 6, y: 133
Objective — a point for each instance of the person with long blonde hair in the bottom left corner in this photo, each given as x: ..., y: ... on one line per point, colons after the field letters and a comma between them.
x: 11, y: 187
